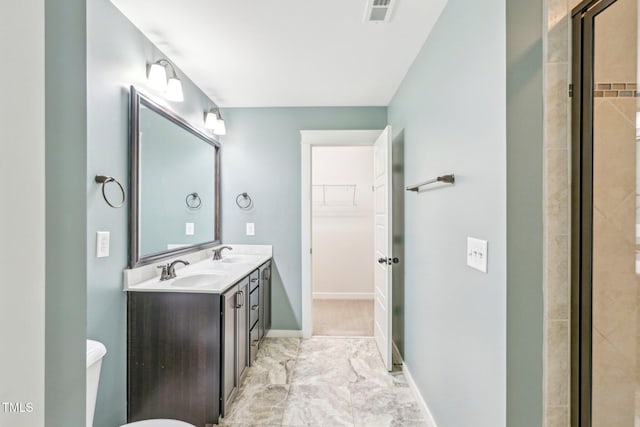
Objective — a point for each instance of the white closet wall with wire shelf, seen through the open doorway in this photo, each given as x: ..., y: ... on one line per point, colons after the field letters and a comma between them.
x: 342, y: 222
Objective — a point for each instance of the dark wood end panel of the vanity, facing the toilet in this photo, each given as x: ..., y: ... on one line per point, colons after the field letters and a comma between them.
x: 174, y: 357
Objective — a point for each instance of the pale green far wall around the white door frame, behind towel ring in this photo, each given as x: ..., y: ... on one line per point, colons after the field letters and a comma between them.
x: 261, y: 156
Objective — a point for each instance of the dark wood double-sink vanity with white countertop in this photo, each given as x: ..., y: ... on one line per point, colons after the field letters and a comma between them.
x: 191, y: 339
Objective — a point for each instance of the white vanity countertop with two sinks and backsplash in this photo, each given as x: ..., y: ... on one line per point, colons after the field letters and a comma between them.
x: 205, y: 275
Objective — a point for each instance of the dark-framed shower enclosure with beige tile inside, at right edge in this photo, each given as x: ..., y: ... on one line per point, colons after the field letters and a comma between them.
x: 605, y: 216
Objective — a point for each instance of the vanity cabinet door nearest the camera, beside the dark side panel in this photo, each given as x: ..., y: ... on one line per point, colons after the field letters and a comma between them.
x: 229, y: 372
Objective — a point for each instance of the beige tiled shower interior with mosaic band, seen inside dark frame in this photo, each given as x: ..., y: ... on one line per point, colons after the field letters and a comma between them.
x: 615, y: 300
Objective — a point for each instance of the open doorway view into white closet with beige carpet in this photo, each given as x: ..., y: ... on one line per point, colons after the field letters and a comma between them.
x: 342, y: 226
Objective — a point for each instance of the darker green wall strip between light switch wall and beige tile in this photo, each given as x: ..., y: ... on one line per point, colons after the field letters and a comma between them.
x: 524, y: 213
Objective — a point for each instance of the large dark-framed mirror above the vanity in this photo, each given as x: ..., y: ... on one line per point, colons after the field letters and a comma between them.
x: 175, y: 184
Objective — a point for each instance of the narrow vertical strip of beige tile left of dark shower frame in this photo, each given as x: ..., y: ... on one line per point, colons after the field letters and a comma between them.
x: 557, y: 214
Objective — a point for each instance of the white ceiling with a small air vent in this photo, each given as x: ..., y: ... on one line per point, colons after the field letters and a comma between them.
x: 277, y: 53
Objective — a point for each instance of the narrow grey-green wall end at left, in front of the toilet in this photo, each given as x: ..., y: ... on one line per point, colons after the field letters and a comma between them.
x: 66, y: 212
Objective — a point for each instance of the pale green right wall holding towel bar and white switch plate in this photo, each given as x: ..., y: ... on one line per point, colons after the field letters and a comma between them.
x: 449, y: 113
